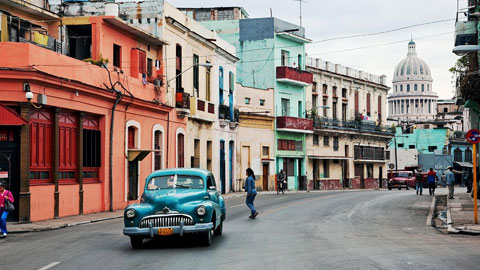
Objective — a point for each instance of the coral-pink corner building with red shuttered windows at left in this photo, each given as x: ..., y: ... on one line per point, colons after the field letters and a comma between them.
x: 93, y: 130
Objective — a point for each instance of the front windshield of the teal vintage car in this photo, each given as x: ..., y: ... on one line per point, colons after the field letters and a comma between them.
x: 175, y: 182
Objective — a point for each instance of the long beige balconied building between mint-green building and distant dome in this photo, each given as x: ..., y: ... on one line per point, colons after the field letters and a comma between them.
x: 348, y: 106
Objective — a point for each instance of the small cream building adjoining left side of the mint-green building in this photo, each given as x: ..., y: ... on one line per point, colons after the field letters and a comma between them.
x: 256, y: 137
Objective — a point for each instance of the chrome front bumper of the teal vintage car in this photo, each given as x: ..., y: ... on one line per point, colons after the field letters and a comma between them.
x: 153, y: 231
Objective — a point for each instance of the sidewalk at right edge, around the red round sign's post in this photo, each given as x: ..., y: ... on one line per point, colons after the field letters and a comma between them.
x: 460, y: 216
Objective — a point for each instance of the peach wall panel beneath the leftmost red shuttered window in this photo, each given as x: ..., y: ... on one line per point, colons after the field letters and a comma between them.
x: 42, y: 202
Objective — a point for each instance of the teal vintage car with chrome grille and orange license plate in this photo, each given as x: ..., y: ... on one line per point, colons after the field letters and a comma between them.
x: 176, y: 202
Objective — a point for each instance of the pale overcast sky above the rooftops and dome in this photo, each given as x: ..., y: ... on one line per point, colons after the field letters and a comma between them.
x: 324, y: 19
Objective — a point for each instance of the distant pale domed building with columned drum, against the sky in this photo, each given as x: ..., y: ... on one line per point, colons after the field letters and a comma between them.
x: 412, y: 99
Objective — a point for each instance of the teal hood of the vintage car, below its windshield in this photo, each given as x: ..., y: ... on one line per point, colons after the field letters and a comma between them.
x: 175, y: 199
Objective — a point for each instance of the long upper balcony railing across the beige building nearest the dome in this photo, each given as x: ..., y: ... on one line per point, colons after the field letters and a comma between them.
x: 366, y: 126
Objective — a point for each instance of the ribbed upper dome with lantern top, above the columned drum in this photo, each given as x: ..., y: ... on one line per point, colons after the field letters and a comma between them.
x: 412, y: 67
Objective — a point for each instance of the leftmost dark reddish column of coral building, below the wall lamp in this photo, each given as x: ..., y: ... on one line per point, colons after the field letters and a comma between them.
x: 24, y: 194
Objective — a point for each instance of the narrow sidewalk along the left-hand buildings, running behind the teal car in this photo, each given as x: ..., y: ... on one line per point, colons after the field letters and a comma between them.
x: 64, y: 222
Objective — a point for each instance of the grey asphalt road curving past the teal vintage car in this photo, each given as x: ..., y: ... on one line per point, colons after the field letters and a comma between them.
x: 321, y: 230
